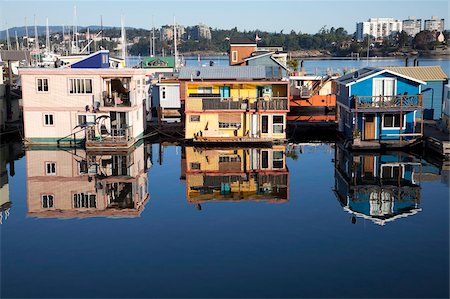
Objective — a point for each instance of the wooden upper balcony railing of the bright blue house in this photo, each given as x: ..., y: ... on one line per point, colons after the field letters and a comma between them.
x: 399, y: 102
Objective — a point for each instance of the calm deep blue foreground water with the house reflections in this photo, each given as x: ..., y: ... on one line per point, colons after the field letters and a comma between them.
x: 291, y: 225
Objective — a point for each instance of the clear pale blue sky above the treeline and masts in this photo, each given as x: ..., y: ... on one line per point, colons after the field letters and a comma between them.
x: 297, y: 15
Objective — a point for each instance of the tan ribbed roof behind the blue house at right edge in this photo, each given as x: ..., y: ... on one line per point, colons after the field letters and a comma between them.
x: 424, y: 73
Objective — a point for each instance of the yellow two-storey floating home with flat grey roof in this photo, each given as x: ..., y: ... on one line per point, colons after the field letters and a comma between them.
x: 233, y: 104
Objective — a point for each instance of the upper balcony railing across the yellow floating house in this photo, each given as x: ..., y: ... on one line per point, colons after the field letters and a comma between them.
x: 272, y: 103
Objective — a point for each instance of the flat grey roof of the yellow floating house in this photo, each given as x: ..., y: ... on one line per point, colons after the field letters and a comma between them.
x: 224, y: 72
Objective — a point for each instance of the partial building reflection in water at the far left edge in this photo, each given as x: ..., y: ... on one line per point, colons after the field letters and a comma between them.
x: 8, y: 154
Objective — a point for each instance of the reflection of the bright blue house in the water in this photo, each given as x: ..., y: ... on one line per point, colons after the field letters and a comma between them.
x: 379, y: 187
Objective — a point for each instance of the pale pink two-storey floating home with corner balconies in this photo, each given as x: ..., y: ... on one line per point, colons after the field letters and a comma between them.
x: 86, y: 102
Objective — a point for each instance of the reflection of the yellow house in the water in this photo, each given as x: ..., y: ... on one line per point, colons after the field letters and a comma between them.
x: 238, y: 174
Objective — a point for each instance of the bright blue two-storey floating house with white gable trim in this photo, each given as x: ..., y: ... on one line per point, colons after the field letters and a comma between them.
x: 378, y: 108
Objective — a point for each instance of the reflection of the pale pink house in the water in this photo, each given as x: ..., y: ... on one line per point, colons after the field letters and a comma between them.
x: 76, y: 183
